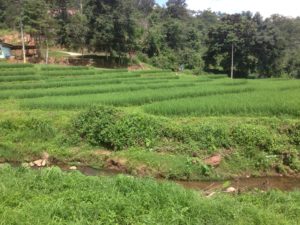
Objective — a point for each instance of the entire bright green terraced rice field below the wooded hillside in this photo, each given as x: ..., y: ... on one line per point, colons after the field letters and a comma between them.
x: 156, y: 92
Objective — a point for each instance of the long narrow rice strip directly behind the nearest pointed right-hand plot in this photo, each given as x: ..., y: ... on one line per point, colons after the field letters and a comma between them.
x: 128, y: 98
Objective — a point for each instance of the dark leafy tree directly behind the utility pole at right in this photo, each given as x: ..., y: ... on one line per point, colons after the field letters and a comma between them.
x: 237, y: 31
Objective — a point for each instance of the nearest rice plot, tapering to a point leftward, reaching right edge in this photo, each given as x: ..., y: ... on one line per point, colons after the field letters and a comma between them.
x: 262, y: 102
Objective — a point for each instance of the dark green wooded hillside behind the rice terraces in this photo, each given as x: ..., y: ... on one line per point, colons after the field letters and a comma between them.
x: 167, y: 37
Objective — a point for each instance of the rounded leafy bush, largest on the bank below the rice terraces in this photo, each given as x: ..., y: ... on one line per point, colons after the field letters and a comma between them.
x: 114, y: 129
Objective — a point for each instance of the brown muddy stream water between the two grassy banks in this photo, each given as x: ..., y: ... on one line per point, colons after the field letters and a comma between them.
x: 241, y: 184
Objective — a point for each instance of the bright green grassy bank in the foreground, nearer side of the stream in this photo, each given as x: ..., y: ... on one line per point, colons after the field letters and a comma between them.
x: 50, y: 196
